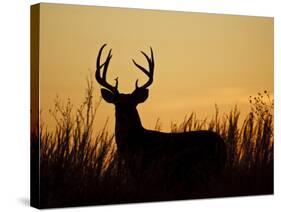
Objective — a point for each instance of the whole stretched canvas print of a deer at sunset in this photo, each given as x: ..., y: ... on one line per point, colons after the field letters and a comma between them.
x: 133, y: 105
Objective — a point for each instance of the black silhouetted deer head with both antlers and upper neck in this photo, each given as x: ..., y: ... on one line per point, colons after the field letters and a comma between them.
x: 125, y: 104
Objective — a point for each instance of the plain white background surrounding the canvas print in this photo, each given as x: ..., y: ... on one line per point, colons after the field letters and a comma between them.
x: 14, y: 103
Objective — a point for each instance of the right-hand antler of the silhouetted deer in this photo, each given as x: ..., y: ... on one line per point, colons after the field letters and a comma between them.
x: 149, y: 72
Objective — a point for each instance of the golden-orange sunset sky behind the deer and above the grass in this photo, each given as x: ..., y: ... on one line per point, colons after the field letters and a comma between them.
x: 200, y: 59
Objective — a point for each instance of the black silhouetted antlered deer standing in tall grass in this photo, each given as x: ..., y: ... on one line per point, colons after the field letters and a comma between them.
x: 140, y: 148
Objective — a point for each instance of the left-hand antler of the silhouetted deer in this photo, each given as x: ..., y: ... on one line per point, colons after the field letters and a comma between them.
x: 102, y: 79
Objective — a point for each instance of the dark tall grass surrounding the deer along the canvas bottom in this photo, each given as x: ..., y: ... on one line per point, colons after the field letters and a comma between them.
x: 79, y: 166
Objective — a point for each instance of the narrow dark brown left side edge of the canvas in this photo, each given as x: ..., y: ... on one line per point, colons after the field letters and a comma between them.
x: 34, y: 106
